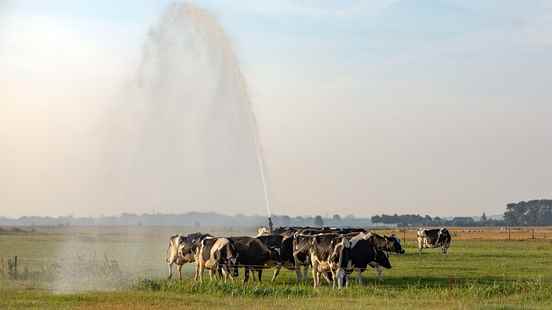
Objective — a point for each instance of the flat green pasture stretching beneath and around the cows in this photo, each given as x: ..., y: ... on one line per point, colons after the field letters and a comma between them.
x: 123, y: 267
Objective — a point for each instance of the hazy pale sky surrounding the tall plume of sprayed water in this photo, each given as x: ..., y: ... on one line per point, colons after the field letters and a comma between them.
x: 419, y: 106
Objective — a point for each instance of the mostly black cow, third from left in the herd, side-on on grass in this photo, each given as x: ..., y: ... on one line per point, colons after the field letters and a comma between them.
x: 253, y: 255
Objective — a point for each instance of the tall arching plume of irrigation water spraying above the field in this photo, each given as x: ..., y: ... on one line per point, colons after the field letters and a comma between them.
x: 191, y: 135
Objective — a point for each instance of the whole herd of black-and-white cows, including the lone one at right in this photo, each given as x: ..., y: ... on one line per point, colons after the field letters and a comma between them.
x: 330, y: 253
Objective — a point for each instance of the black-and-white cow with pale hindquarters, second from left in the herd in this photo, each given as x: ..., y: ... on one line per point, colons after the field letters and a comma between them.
x: 215, y: 254
